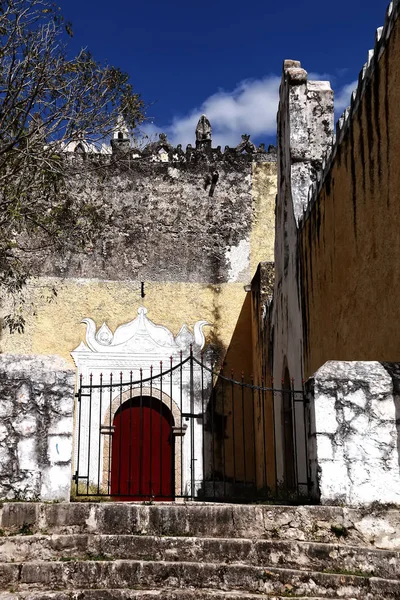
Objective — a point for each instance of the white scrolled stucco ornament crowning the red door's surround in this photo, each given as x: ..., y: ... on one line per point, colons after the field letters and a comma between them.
x: 140, y: 335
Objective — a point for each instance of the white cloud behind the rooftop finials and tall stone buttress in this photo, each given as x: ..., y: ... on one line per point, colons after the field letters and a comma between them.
x: 249, y: 108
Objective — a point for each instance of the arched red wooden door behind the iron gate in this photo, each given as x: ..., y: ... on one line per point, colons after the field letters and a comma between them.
x: 142, y: 451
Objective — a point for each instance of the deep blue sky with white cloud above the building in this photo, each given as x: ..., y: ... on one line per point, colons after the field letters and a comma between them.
x: 224, y: 57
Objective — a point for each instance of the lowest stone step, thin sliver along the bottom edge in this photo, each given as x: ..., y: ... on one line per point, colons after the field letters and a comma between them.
x: 145, y: 595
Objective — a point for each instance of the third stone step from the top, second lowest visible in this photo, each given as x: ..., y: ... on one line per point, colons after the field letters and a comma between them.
x: 173, y: 575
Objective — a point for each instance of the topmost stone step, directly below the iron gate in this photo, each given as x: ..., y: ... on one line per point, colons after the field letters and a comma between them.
x: 379, y: 528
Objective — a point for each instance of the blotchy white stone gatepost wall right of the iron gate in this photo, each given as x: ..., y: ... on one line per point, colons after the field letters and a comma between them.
x: 355, y: 432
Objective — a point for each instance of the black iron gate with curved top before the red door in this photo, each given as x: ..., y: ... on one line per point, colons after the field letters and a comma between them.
x: 190, y: 430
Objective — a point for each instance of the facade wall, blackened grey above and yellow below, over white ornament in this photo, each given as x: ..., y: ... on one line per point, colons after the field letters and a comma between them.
x: 194, y: 252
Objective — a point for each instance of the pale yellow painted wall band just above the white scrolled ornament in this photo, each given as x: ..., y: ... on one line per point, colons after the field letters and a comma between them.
x: 57, y: 328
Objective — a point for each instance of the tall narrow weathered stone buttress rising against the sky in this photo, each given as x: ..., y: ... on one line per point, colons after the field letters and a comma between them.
x: 305, y: 128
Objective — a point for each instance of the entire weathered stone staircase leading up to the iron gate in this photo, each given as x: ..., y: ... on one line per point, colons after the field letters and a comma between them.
x: 91, y: 551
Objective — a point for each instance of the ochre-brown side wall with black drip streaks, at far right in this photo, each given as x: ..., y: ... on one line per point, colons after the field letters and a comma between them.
x: 349, y: 239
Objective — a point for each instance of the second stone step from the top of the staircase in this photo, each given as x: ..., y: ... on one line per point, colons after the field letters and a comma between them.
x: 295, y: 555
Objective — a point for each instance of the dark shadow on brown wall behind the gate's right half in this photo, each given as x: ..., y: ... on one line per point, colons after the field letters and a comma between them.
x: 240, y: 418
